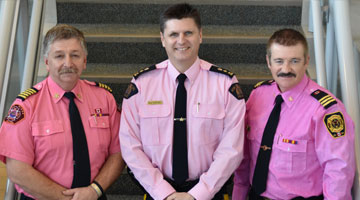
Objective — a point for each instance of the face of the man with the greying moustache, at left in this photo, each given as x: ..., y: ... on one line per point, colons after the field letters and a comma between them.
x: 65, y: 62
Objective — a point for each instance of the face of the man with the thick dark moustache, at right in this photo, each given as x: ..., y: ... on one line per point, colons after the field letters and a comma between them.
x: 287, y: 65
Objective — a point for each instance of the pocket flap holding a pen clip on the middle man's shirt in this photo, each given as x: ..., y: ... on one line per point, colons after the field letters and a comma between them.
x: 213, y: 111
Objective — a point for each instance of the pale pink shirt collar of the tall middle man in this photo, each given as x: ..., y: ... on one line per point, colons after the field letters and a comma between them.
x: 190, y: 73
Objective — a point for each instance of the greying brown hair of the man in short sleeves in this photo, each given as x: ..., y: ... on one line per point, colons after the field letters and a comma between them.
x: 61, y: 32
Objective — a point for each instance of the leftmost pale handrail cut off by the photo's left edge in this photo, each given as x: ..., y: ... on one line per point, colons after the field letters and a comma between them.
x: 6, y: 20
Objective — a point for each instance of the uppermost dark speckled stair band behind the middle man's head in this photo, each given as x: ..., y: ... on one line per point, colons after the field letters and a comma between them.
x: 148, y: 13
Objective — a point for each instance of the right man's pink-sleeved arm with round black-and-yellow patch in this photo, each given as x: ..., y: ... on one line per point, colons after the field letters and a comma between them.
x: 336, y: 154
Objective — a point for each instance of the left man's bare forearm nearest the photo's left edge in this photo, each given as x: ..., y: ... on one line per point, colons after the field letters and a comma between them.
x: 33, y: 181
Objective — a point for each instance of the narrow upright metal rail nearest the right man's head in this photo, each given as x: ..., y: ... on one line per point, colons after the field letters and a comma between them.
x: 319, y: 43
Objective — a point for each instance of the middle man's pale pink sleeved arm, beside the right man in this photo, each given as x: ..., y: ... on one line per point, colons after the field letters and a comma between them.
x: 229, y: 152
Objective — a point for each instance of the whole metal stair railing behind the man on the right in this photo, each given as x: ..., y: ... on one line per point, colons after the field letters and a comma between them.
x: 339, y: 56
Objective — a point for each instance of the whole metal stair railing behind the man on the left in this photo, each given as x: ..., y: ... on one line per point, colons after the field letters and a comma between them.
x: 10, y: 12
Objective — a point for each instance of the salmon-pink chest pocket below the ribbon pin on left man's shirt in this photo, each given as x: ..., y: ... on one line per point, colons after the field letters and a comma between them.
x: 101, y: 127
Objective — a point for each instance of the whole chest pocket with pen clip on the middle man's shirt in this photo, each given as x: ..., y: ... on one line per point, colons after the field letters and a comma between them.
x: 208, y: 123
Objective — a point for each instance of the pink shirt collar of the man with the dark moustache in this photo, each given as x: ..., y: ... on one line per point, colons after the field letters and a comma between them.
x: 293, y: 94
